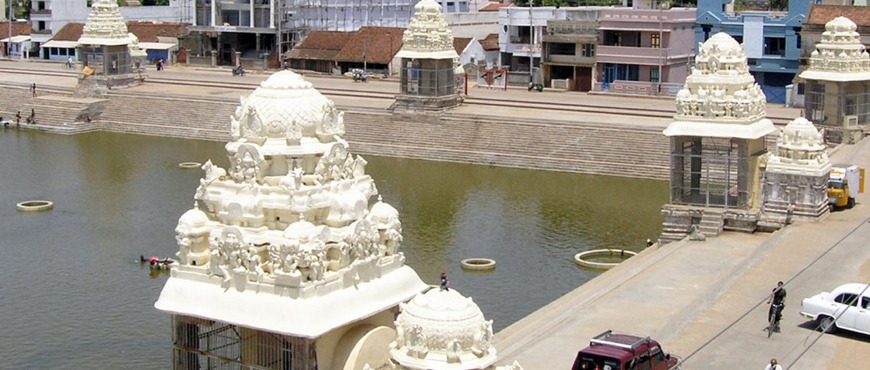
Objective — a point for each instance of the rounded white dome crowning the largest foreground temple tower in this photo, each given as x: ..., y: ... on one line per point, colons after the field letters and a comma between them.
x: 285, y: 106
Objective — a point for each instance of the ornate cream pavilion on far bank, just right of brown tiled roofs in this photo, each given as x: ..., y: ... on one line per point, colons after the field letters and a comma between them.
x: 428, y: 63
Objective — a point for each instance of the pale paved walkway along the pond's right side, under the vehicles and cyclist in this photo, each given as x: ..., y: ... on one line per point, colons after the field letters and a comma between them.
x: 705, y: 301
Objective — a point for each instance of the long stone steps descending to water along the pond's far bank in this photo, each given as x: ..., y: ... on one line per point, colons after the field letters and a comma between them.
x: 612, y: 149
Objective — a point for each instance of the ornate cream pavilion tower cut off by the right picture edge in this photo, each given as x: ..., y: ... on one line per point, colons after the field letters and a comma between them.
x: 838, y: 84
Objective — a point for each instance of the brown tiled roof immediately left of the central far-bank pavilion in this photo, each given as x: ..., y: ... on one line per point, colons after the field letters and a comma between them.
x: 379, y: 44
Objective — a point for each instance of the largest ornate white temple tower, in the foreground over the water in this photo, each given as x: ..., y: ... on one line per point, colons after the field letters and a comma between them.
x: 283, y: 263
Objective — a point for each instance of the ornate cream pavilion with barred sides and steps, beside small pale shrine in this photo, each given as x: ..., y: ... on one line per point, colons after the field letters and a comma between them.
x: 717, y: 139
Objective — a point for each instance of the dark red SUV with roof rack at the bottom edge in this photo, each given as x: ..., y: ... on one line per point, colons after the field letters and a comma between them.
x: 611, y: 351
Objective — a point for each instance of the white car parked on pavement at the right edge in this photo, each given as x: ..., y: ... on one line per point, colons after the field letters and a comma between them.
x: 846, y: 307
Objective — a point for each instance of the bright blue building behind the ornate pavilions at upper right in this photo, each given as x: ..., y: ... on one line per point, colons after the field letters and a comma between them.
x: 771, y: 39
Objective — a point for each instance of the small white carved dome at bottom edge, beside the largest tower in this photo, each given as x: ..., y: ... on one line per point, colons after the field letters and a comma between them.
x: 442, y: 329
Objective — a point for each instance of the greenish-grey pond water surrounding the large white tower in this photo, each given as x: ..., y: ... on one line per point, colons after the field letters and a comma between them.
x: 75, y: 296
